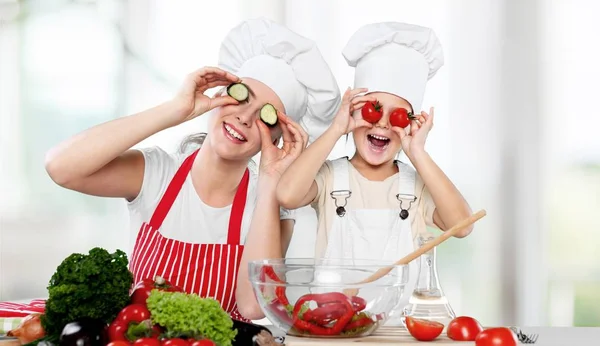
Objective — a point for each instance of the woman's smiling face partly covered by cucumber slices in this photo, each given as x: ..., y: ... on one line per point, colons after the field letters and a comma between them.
x: 233, y: 133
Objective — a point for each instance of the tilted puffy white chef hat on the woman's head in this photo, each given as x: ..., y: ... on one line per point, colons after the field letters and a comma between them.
x: 289, y: 64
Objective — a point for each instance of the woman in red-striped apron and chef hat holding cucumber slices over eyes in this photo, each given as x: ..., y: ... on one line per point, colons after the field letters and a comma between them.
x: 192, y: 214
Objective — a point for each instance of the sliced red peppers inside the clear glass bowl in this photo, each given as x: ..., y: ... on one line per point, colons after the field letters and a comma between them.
x: 335, y: 314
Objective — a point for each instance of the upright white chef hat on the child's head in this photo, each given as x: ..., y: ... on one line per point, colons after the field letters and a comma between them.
x: 396, y: 58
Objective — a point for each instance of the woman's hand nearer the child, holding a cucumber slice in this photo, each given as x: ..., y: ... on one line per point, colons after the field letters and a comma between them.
x: 273, y: 160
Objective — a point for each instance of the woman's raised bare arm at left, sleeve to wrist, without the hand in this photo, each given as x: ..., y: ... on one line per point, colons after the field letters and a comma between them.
x: 98, y: 162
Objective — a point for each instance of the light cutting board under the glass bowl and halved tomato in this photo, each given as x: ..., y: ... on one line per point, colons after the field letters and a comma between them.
x: 383, y: 336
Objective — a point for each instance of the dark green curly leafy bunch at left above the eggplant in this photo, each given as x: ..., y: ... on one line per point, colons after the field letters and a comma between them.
x: 94, y: 286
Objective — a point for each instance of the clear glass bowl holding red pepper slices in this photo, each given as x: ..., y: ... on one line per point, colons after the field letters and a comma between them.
x: 309, y: 297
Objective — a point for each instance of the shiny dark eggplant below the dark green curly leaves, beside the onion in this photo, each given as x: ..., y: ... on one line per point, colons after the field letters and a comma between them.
x: 85, y: 332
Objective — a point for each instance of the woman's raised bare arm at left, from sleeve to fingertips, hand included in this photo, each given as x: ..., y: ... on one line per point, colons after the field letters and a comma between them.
x: 97, y: 162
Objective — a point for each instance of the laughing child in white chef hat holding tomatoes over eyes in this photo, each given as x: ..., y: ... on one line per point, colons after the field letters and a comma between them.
x: 372, y: 206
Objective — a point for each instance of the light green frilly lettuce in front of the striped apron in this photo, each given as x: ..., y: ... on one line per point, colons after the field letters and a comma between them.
x: 189, y: 316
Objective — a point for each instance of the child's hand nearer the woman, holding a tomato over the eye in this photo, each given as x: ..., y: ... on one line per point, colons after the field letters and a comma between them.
x: 344, y: 122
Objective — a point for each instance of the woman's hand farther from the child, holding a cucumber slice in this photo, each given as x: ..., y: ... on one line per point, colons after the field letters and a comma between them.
x: 191, y: 102
